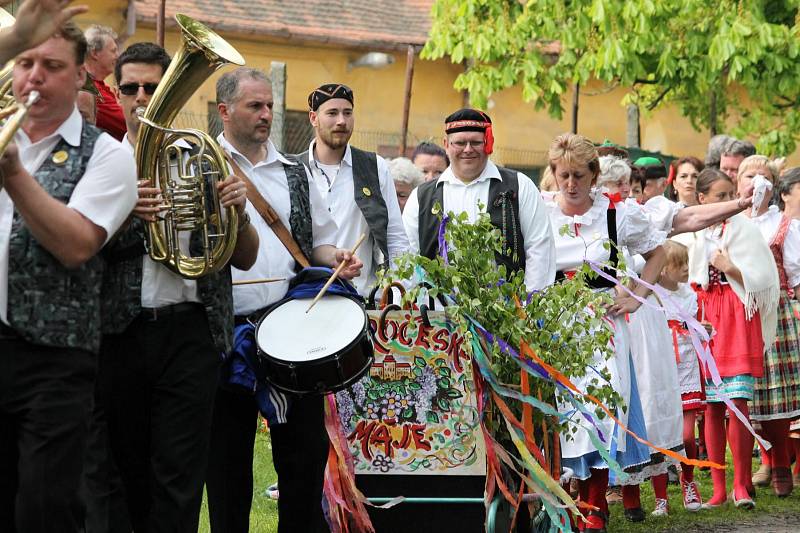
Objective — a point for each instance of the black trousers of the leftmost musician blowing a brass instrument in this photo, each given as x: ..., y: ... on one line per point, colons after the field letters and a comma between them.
x: 45, y: 403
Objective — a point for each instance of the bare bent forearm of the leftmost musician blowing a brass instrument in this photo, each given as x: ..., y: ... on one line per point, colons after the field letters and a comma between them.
x: 71, y: 237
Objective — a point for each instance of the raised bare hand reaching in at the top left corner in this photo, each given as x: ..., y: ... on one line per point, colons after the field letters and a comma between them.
x: 37, y: 21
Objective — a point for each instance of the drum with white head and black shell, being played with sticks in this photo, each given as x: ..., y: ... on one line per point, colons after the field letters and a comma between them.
x: 317, y: 352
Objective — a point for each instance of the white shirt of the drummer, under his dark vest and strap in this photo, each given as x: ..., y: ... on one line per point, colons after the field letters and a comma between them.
x: 274, y: 260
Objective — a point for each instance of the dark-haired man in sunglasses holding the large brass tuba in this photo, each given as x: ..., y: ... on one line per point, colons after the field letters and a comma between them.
x: 164, y: 336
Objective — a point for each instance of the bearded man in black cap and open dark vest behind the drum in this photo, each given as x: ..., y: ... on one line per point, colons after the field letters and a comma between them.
x: 356, y: 185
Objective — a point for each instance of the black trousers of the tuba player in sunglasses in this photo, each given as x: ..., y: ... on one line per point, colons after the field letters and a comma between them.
x: 164, y: 378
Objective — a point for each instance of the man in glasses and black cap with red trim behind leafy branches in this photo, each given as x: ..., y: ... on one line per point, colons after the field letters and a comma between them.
x: 472, y: 180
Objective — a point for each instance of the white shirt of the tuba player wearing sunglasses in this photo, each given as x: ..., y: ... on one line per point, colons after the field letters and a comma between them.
x: 160, y: 285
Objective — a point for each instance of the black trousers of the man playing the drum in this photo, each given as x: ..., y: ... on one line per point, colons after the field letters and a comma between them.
x: 299, y: 453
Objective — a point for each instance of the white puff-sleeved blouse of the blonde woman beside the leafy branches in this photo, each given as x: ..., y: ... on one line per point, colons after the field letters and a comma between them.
x: 589, y: 232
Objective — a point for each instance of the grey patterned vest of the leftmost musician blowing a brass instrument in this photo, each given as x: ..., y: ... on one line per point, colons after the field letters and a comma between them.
x: 49, y: 304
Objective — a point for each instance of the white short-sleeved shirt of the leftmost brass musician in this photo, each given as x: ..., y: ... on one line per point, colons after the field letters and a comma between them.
x: 105, y: 195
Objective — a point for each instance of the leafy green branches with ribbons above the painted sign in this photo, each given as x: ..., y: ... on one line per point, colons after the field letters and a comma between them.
x: 559, y: 323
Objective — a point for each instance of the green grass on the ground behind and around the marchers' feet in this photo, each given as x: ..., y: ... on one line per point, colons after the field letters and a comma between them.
x: 264, y: 513
